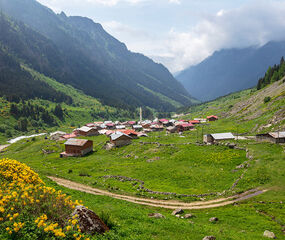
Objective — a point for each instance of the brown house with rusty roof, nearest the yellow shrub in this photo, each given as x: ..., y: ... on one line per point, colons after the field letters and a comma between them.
x: 77, y: 147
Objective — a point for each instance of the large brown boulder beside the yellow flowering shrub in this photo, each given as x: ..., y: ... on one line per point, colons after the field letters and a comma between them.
x: 88, y: 221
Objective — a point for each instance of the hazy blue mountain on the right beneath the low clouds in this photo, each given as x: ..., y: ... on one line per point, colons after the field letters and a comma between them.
x: 230, y: 70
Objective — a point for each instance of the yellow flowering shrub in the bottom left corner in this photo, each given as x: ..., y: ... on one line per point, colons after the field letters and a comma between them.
x: 31, y: 210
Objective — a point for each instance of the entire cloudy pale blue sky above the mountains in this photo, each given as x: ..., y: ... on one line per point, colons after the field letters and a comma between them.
x: 182, y: 33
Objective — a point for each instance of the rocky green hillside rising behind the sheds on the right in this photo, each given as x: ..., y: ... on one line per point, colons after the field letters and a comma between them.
x: 248, y: 111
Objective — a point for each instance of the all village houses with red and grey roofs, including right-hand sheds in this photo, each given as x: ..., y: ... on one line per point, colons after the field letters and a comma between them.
x: 122, y: 133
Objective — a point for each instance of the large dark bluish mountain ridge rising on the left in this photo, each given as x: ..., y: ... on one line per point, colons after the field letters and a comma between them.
x: 77, y: 51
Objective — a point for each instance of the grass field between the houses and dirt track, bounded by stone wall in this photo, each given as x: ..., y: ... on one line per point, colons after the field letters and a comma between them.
x: 184, y: 169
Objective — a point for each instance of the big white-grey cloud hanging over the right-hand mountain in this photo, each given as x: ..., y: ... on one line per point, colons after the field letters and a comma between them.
x: 251, y: 25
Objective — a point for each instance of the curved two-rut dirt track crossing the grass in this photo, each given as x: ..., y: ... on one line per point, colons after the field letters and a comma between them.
x: 160, y: 203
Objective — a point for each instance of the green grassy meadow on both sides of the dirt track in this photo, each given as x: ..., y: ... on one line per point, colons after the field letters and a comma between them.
x: 186, y: 169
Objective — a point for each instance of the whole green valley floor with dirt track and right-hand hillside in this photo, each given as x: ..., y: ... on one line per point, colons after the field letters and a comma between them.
x: 168, y: 171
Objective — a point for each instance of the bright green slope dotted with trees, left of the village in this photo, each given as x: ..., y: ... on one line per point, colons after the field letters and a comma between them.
x: 37, y: 114
